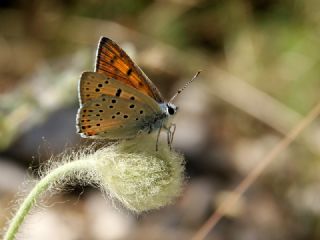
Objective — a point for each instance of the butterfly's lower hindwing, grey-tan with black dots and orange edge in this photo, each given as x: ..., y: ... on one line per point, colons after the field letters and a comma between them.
x: 113, y: 118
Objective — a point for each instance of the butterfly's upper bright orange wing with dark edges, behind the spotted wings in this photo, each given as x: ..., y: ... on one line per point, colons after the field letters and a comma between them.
x: 113, y: 62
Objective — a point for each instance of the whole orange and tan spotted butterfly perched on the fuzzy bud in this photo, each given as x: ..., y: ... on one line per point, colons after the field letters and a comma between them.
x: 118, y: 100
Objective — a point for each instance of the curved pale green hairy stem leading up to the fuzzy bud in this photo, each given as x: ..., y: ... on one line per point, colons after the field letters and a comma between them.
x: 57, y: 174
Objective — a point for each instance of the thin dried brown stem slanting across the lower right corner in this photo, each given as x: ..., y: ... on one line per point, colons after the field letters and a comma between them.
x: 255, y: 173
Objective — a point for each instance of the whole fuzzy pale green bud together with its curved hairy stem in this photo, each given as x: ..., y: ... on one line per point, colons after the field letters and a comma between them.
x: 131, y: 172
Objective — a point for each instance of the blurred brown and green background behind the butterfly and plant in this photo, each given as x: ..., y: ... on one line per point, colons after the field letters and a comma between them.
x: 261, y: 67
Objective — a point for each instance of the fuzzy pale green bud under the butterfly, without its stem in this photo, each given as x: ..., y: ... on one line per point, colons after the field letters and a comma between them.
x: 140, y: 177
